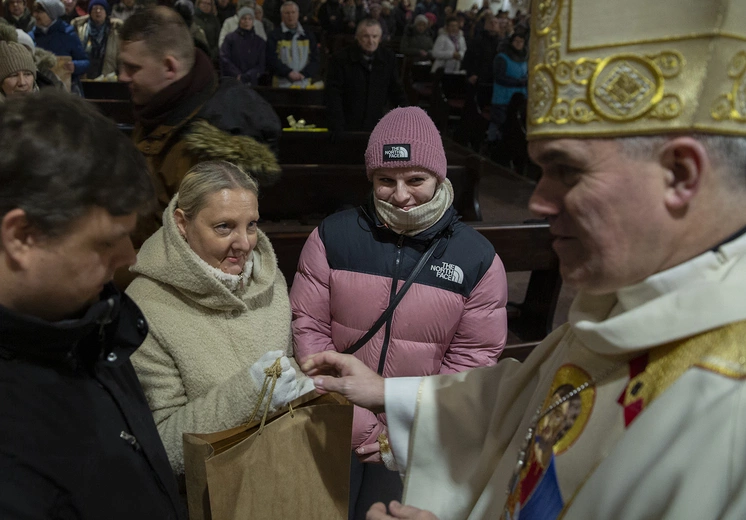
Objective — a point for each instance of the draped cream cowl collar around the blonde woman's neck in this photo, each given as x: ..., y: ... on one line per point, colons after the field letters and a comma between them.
x: 166, y: 257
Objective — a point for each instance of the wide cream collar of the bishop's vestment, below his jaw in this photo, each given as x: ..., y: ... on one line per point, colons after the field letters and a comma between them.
x: 699, y: 295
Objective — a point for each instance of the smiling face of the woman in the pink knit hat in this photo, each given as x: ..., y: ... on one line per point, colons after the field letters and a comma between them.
x: 405, y: 188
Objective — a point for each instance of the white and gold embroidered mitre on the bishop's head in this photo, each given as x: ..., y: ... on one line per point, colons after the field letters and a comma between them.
x: 634, y: 67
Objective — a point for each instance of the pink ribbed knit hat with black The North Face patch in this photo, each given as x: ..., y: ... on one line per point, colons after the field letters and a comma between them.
x: 406, y: 137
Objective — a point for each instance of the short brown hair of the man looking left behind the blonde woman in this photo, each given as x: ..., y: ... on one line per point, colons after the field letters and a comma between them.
x: 163, y: 31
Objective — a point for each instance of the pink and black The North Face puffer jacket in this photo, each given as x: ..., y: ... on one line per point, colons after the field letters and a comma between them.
x: 453, y: 317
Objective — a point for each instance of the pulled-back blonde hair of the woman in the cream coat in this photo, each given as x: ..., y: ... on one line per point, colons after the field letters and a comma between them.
x: 207, y: 178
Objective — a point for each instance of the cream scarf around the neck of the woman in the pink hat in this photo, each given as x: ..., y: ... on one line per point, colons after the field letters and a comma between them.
x: 417, y: 219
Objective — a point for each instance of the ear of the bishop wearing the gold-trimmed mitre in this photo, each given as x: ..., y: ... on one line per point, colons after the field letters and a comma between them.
x: 686, y: 162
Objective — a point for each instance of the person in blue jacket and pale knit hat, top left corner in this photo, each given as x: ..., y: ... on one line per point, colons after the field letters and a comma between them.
x: 60, y: 38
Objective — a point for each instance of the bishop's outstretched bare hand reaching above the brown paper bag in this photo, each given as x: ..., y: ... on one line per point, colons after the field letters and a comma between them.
x: 348, y: 376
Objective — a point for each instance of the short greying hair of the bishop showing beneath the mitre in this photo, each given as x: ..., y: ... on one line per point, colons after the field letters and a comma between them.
x: 726, y: 152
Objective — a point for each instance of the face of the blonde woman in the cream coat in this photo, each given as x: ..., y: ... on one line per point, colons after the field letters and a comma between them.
x: 223, y: 233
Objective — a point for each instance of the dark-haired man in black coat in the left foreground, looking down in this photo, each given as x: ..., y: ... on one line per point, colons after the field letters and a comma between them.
x: 78, y: 439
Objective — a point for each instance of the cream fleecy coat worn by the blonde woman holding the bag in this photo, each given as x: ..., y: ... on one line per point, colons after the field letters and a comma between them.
x: 203, y: 338
